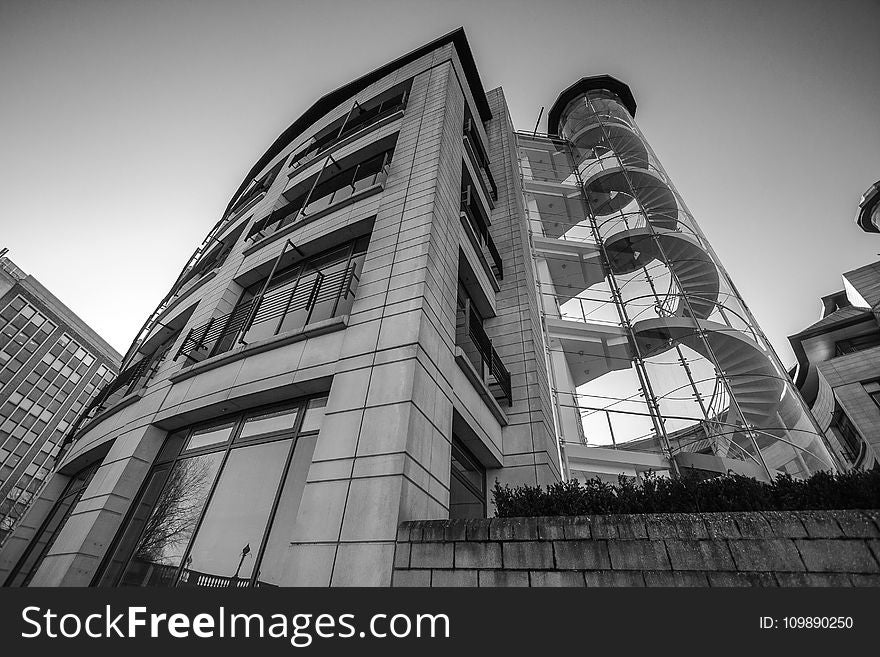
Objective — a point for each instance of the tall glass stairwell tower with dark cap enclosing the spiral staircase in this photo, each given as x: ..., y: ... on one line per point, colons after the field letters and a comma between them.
x: 656, y: 363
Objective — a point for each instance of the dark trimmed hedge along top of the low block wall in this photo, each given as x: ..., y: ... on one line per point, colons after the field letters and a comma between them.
x: 858, y: 489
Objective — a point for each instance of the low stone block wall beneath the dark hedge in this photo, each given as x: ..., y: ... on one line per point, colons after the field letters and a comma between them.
x: 771, y: 548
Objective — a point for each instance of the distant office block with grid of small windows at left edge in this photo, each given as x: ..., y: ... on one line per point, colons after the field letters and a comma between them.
x: 51, y: 366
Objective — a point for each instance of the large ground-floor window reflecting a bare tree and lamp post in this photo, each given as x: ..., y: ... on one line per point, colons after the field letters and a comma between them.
x: 219, y: 506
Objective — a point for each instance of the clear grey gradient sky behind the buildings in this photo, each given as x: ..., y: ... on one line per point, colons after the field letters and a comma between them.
x: 126, y: 126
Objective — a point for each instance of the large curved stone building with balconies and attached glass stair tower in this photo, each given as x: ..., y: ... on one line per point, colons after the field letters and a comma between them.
x: 404, y: 302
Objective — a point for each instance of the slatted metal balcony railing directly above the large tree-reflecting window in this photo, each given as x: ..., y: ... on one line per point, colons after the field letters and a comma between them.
x: 222, y: 334
